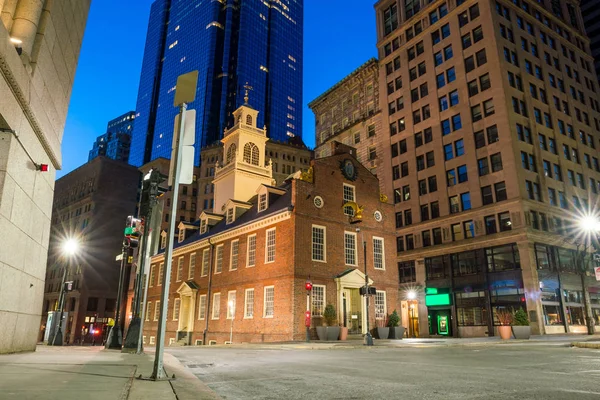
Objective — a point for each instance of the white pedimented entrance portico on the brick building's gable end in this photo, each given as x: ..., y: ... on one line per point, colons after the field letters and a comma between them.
x: 351, y: 305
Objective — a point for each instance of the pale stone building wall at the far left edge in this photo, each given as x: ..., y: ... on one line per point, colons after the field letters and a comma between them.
x: 39, y: 50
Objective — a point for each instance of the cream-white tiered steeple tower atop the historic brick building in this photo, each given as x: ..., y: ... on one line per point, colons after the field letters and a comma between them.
x: 244, y: 166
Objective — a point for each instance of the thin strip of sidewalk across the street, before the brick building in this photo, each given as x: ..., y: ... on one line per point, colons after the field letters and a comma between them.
x: 556, y: 340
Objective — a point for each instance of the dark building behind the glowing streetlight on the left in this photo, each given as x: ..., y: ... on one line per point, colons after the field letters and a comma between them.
x: 91, y: 204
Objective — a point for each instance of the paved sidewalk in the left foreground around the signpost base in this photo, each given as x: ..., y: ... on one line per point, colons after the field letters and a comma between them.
x: 74, y: 372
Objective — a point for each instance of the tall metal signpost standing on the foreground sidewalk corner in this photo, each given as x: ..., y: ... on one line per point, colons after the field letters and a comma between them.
x: 158, y: 370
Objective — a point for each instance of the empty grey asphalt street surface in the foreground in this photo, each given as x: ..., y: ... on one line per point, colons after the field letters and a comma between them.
x: 516, y: 371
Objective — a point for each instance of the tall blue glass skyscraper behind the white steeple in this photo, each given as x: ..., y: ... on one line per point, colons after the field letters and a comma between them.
x: 231, y: 43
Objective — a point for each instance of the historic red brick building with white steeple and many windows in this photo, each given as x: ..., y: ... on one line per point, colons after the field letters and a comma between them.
x: 259, y: 252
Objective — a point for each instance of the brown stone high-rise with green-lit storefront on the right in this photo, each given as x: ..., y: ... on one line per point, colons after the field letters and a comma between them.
x: 493, y: 154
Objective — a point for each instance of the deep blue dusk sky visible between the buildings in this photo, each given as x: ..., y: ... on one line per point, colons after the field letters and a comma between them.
x: 339, y: 36
